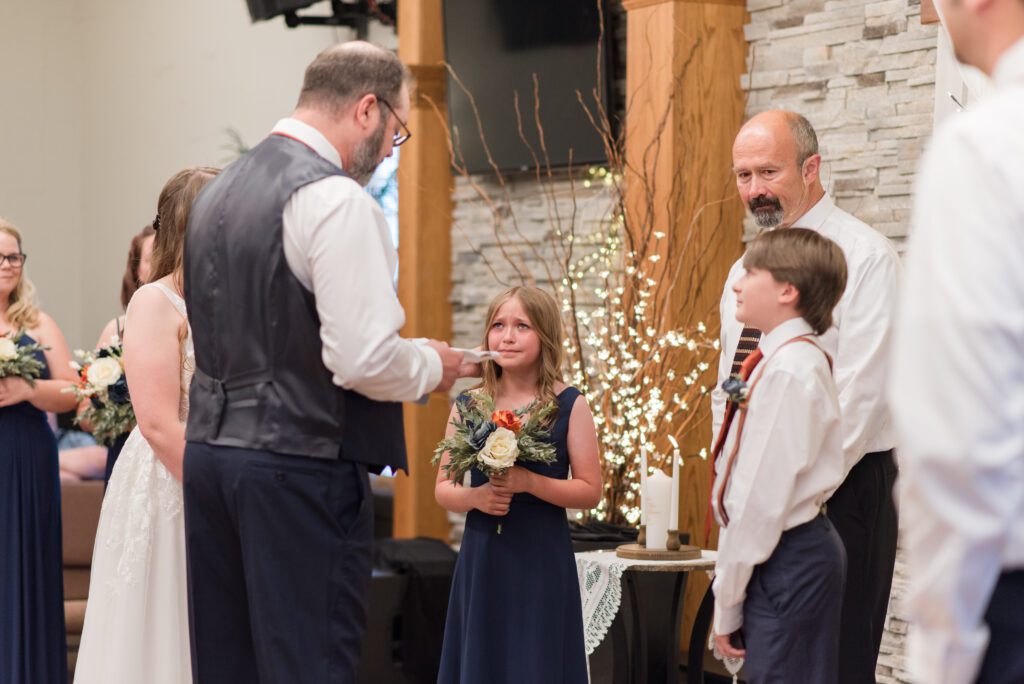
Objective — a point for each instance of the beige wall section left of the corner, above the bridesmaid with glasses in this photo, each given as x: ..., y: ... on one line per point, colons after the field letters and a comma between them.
x: 40, y: 153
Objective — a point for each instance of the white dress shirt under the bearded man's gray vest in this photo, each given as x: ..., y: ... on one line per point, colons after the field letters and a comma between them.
x: 338, y: 246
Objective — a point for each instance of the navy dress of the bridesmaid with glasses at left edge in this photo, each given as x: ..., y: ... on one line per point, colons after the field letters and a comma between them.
x: 32, y: 621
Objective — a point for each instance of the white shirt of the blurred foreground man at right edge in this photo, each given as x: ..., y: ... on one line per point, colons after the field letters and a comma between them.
x: 958, y: 381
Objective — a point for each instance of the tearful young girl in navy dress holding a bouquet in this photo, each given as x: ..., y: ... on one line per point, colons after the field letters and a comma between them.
x: 515, y: 613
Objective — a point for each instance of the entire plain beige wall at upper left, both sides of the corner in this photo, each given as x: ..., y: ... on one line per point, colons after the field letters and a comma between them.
x: 102, y: 101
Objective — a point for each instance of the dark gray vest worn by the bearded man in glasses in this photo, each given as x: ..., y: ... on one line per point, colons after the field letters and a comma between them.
x: 261, y: 381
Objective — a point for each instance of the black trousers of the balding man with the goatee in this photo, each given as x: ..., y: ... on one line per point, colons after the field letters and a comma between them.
x: 865, y: 515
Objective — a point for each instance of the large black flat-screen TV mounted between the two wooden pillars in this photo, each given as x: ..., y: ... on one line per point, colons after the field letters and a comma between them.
x: 495, y: 48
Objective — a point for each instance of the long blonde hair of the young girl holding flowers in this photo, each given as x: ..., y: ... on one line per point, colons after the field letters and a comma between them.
x: 542, y: 310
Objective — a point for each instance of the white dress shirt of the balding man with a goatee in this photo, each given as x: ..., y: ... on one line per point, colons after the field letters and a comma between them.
x: 860, y: 340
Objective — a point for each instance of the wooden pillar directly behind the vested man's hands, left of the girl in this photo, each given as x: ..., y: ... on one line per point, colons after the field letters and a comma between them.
x: 424, y: 256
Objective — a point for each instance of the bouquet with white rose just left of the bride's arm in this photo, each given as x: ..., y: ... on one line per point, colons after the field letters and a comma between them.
x: 102, y: 380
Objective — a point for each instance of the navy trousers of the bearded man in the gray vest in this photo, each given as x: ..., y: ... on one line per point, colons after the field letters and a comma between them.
x: 279, y: 555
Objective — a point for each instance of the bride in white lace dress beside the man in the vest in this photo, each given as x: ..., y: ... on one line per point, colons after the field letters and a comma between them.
x: 137, y: 621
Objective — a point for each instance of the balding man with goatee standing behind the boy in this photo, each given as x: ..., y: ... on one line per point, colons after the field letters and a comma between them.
x: 778, y: 168
